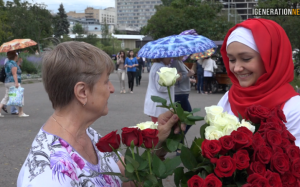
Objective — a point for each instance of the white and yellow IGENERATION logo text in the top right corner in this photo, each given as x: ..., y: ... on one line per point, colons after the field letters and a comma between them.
x: 276, y: 12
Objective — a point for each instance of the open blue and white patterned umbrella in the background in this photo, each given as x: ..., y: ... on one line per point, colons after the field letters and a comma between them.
x: 176, y: 46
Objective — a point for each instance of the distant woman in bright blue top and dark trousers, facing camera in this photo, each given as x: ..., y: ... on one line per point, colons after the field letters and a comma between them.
x: 131, y: 63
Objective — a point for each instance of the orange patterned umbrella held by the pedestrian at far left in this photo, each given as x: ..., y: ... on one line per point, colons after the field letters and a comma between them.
x: 16, y: 44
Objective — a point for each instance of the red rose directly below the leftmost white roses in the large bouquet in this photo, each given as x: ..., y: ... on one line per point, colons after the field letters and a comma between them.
x: 210, y: 148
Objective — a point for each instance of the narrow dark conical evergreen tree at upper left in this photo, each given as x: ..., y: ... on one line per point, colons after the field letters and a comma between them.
x: 61, y: 24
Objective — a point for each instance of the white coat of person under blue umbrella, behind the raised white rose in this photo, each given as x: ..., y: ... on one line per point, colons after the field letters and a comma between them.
x: 155, y: 89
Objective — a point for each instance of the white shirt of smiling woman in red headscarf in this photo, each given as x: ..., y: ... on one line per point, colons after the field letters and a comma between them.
x: 291, y: 110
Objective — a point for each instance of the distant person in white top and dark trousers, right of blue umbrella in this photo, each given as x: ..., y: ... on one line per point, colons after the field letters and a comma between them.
x: 208, y: 65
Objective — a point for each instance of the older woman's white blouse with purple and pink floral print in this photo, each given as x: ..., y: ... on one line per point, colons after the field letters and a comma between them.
x: 52, y: 162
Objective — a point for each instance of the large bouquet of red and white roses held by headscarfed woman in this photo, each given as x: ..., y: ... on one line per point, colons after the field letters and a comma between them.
x: 237, y: 154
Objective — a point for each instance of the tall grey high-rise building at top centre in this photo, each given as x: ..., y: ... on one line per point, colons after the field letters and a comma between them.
x: 134, y: 14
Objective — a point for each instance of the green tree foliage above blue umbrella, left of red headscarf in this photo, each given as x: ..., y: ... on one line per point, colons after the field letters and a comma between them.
x: 188, y: 14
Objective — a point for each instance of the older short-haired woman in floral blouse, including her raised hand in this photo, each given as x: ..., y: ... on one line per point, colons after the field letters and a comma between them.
x: 76, y: 78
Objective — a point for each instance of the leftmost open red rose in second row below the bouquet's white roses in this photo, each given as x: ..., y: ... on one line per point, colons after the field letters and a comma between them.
x: 225, y: 166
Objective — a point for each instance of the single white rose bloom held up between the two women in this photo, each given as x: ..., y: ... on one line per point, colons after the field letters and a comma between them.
x: 167, y: 76
